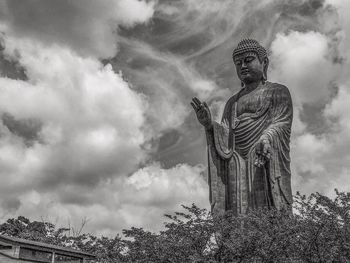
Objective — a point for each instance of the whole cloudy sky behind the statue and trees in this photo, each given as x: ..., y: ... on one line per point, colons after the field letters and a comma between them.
x: 95, y: 120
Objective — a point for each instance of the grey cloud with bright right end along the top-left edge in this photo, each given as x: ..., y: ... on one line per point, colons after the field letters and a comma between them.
x: 89, y: 27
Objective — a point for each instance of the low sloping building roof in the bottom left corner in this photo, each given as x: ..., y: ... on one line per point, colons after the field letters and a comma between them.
x: 44, y: 246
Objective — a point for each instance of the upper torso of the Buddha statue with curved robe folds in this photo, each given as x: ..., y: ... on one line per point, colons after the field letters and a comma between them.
x: 255, y: 112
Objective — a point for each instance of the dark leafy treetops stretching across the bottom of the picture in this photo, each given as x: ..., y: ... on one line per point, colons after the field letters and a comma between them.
x: 317, y: 231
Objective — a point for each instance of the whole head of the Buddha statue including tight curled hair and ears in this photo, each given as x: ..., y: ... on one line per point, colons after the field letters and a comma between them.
x: 251, y: 61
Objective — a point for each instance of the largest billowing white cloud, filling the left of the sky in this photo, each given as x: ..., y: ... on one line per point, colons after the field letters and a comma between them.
x: 87, y: 113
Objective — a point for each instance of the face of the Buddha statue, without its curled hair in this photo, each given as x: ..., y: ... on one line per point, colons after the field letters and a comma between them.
x: 249, y: 68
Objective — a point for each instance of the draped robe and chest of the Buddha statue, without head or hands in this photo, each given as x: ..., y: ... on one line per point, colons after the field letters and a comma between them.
x: 235, y: 183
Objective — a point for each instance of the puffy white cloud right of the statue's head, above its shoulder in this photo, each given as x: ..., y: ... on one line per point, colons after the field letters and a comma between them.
x: 300, y: 60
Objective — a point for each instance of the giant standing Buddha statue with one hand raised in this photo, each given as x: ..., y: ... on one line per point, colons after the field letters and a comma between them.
x: 248, y: 152
